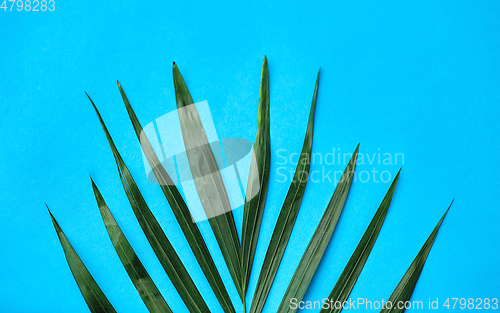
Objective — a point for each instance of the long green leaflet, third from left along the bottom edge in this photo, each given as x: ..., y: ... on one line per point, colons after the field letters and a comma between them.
x: 158, y: 240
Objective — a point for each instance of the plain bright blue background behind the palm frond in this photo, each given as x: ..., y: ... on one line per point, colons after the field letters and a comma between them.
x: 420, y: 78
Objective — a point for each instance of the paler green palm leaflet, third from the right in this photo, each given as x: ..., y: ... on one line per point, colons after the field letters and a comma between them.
x: 319, y: 241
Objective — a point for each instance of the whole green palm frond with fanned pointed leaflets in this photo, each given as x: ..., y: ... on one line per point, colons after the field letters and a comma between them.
x: 239, y: 258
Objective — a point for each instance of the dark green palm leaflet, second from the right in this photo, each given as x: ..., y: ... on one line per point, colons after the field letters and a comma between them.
x: 351, y: 272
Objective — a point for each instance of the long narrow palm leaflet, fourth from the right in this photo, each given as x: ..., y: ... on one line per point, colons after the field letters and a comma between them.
x: 286, y: 218
